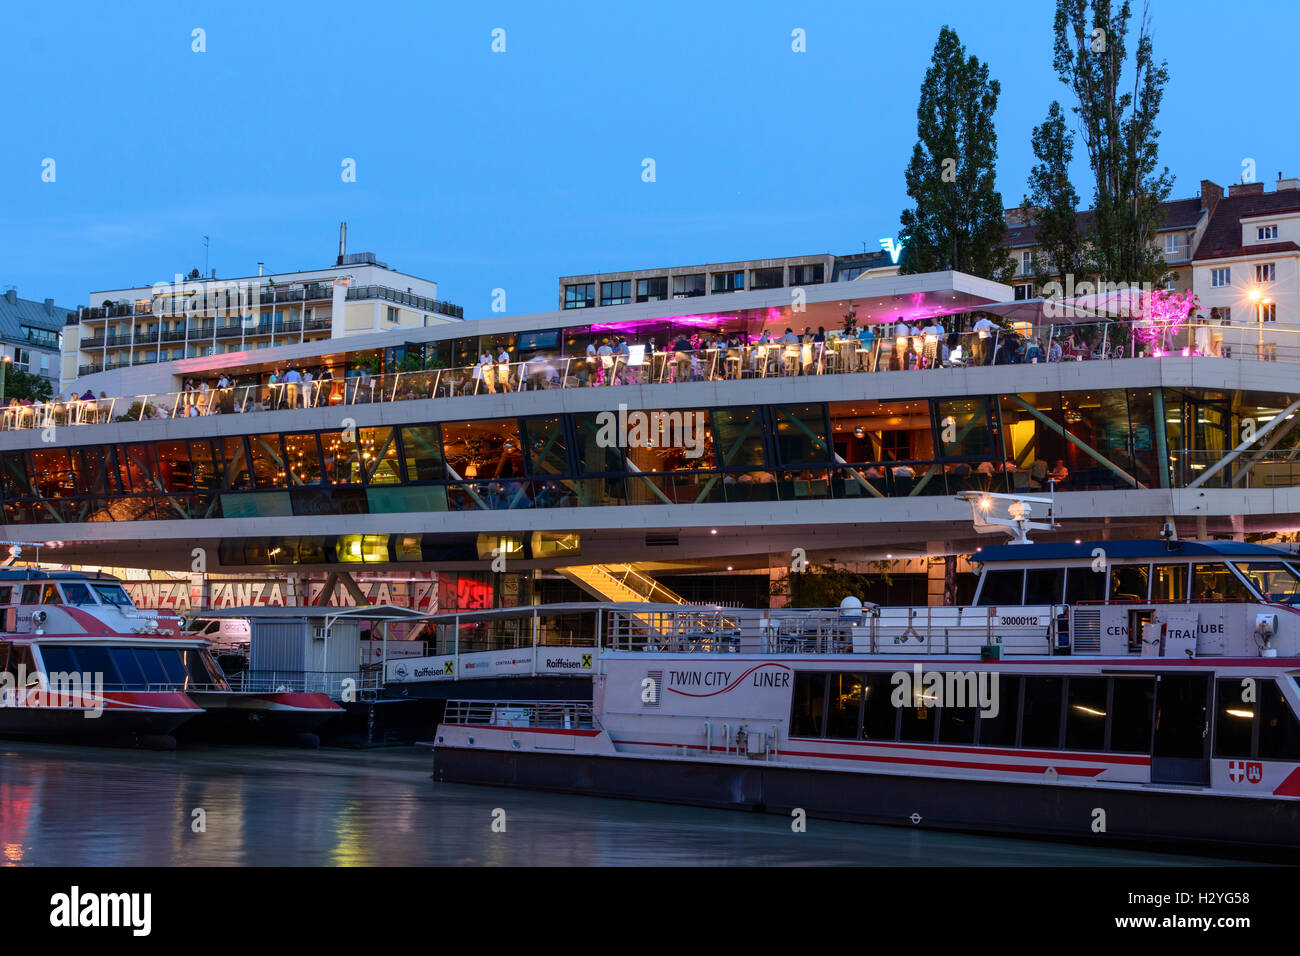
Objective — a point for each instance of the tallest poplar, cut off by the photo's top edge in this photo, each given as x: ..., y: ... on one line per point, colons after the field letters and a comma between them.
x: 1117, y: 120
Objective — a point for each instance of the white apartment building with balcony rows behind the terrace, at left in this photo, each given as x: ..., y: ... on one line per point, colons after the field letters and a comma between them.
x: 196, y: 317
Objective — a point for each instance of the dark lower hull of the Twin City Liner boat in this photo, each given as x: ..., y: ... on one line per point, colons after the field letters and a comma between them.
x: 1173, y: 819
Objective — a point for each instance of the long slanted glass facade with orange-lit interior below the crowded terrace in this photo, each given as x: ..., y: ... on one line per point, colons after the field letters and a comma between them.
x: 1015, y: 443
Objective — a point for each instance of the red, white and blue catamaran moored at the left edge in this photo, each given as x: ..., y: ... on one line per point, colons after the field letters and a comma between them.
x: 137, y: 667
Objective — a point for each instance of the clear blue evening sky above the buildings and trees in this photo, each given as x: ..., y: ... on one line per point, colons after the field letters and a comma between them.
x: 486, y: 171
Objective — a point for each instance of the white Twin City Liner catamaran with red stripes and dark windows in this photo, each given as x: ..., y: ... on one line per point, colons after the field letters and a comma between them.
x: 1112, y: 691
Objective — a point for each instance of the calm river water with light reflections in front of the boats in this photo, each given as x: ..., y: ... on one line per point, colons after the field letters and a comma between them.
x: 89, y: 807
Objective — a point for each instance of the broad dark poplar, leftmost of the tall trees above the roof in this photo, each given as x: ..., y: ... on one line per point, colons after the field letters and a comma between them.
x: 957, y: 220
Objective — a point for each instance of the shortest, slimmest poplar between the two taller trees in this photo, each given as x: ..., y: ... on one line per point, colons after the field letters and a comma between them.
x: 1052, y: 204
